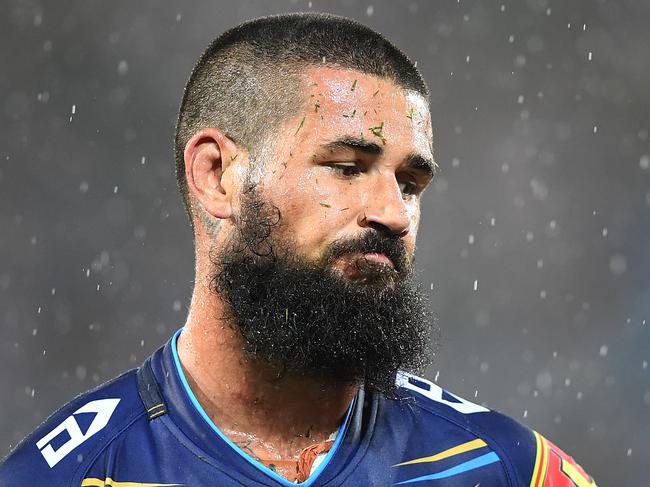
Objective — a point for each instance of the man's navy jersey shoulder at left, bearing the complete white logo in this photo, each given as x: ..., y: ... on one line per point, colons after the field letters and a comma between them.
x: 64, y: 446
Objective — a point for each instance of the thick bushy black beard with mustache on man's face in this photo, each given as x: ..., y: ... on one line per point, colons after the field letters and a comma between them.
x: 305, y: 319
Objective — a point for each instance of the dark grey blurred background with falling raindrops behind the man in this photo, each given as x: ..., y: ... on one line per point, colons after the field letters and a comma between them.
x: 535, y: 238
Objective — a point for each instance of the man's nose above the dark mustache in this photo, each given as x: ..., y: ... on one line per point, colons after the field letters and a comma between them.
x: 386, y: 211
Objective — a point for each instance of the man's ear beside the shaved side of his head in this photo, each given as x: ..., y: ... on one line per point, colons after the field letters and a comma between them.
x: 208, y: 155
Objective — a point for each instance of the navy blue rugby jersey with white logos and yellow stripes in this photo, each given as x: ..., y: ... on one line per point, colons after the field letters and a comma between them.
x: 146, y: 429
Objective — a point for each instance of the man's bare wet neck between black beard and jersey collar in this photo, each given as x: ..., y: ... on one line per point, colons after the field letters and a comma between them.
x: 270, y: 417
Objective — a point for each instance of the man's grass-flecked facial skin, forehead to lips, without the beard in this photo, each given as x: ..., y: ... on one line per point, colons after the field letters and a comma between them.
x: 357, y: 157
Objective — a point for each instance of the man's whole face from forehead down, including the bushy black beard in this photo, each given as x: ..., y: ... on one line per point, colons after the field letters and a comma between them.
x: 317, y: 265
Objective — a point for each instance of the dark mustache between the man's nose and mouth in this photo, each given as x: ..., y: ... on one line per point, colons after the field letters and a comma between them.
x: 372, y: 242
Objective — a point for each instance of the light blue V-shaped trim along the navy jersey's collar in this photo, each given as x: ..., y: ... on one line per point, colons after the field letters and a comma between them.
x: 263, y: 468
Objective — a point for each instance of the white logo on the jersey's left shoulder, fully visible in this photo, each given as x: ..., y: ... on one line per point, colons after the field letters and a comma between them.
x: 104, y: 410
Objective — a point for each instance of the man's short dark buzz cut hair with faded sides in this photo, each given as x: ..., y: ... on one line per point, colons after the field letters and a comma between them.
x: 248, y: 80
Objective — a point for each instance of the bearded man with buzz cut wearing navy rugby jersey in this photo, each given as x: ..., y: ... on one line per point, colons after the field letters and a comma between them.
x: 303, y: 147
